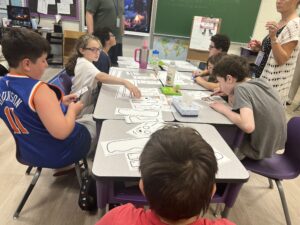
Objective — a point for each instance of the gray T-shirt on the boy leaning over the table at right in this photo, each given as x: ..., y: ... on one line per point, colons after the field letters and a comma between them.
x: 269, y: 116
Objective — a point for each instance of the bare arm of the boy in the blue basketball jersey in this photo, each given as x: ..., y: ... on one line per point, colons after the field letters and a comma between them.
x: 48, y: 109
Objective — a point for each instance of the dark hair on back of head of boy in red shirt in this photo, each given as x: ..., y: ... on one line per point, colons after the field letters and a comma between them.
x: 178, y: 170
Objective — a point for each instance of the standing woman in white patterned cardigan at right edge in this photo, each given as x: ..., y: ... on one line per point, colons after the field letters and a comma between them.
x: 279, y: 50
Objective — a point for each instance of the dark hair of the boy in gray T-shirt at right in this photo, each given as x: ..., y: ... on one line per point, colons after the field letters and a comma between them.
x: 233, y: 65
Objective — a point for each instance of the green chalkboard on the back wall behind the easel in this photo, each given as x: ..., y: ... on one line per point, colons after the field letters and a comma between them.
x: 174, y: 17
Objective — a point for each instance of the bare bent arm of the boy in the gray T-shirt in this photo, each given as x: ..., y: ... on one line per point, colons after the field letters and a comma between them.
x: 244, y: 120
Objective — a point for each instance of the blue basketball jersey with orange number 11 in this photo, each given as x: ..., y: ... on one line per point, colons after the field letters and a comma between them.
x: 36, y: 145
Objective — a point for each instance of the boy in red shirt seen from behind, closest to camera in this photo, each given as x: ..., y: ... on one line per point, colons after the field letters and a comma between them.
x: 178, y: 171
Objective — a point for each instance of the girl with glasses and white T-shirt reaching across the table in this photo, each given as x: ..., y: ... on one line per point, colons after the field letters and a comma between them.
x: 81, y: 65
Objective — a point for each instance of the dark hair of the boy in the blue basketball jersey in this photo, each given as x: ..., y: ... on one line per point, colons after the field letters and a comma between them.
x: 21, y: 43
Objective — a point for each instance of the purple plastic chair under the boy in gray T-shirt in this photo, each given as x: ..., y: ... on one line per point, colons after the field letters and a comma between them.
x: 281, y: 167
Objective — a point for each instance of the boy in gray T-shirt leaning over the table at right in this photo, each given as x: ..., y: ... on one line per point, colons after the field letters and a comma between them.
x: 257, y: 109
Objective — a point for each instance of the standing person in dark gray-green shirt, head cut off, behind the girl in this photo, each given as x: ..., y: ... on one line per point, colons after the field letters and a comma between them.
x: 107, y: 13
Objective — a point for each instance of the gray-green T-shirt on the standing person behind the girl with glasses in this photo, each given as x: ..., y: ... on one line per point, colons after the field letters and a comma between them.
x: 105, y: 13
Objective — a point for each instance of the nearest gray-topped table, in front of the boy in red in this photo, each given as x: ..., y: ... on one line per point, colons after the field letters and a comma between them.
x: 107, y: 169
